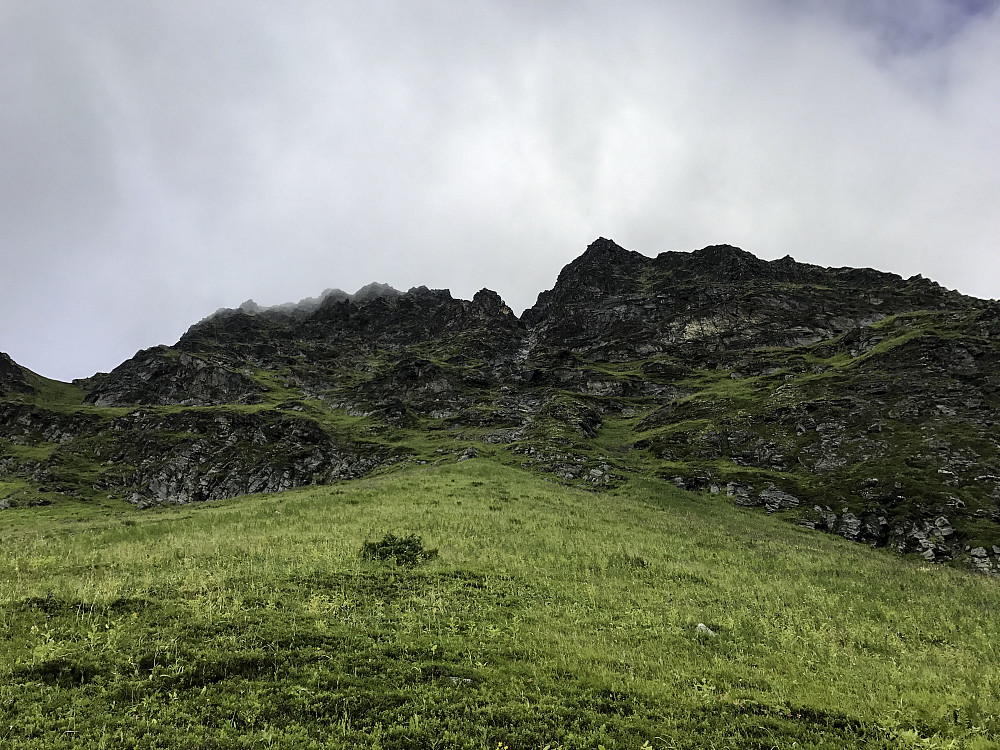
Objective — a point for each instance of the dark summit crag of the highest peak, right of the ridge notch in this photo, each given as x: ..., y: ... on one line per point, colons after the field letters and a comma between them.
x: 617, y: 305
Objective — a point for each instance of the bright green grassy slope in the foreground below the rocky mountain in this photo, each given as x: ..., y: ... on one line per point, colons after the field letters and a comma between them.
x: 550, y: 617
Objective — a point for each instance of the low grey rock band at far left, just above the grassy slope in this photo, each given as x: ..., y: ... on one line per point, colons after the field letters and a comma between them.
x: 149, y: 456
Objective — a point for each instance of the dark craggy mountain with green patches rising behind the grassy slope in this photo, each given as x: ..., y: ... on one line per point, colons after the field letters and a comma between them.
x: 848, y: 400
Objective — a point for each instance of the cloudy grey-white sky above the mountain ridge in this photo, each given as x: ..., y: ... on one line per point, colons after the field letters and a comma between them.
x: 165, y: 158
